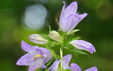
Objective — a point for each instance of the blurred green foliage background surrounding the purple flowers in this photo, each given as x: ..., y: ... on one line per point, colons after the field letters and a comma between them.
x: 96, y: 28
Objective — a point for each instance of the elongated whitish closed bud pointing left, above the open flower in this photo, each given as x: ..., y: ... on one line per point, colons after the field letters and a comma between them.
x: 36, y: 38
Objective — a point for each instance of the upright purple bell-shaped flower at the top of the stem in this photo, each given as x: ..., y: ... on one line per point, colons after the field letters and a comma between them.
x: 69, y: 17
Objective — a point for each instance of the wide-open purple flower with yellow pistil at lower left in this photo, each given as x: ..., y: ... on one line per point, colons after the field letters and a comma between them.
x: 35, y: 58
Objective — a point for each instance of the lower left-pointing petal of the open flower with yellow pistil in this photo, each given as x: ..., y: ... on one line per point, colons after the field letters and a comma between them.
x: 26, y: 59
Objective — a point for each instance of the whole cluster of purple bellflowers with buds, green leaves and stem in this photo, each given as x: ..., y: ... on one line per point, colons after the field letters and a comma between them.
x: 45, y: 57
